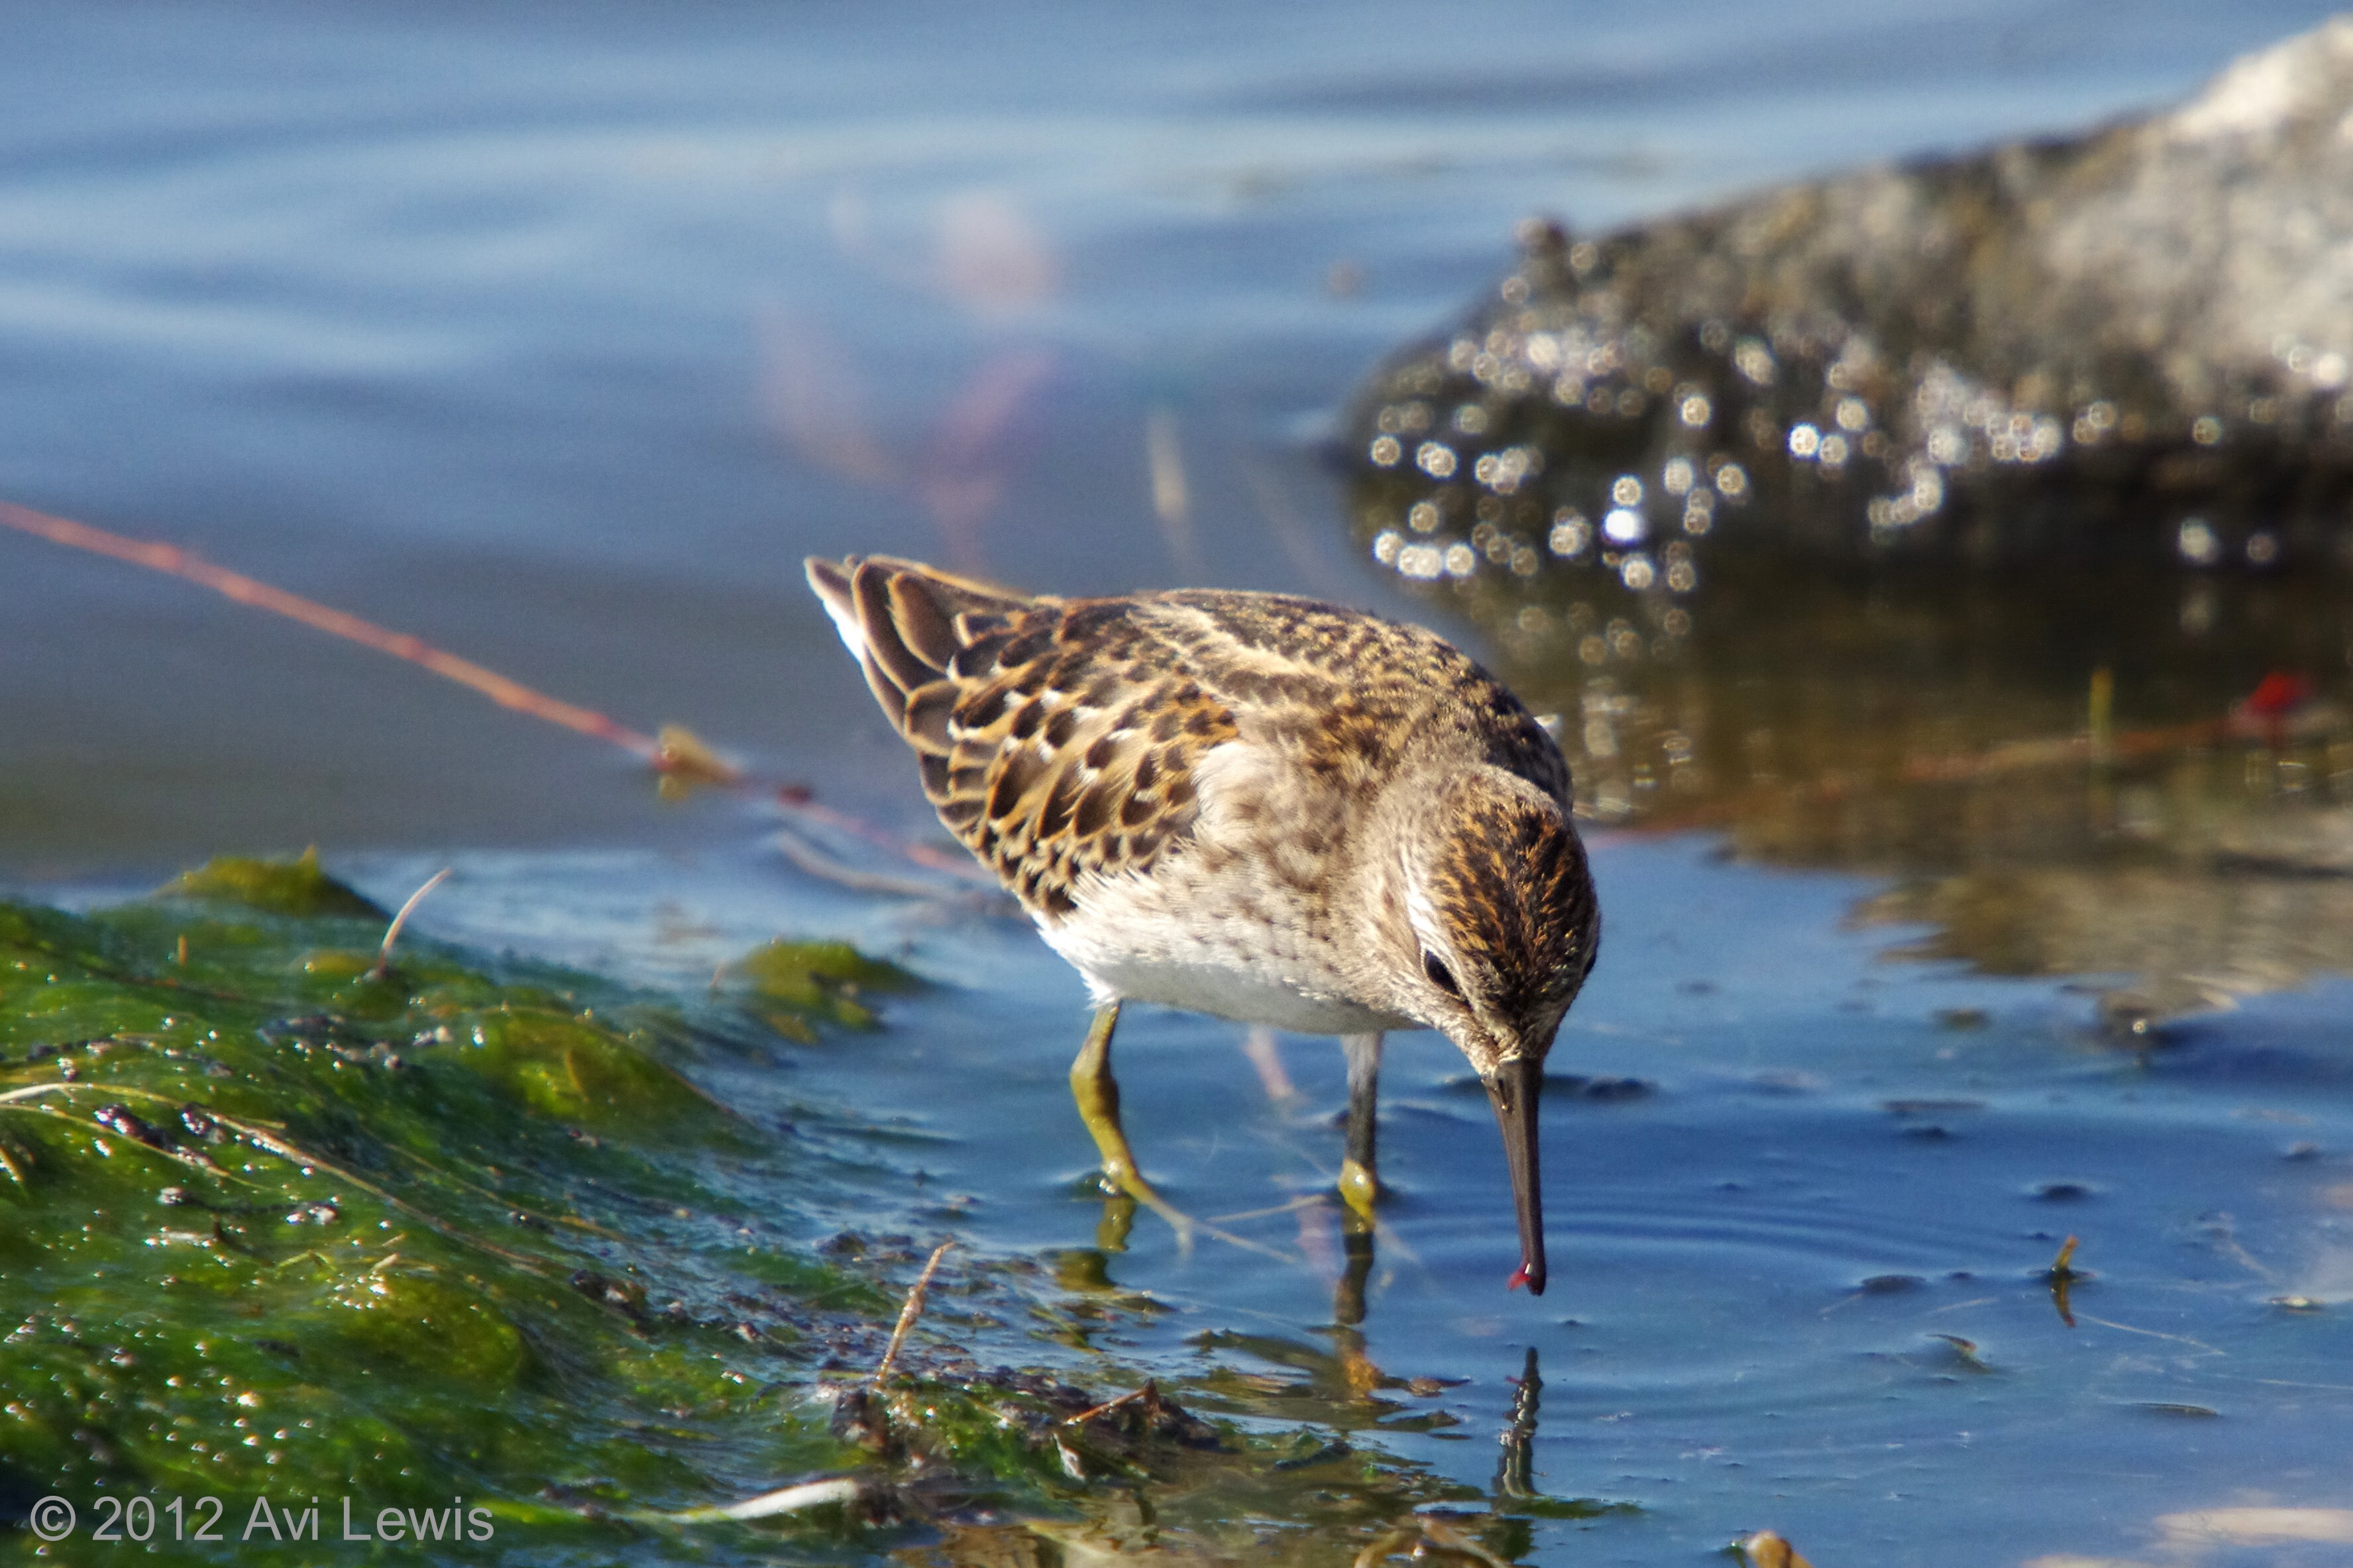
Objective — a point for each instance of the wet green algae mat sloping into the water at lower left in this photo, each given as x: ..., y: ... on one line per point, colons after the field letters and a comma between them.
x: 319, y: 1249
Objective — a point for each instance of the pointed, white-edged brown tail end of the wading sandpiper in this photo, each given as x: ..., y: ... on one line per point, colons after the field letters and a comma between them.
x: 907, y: 624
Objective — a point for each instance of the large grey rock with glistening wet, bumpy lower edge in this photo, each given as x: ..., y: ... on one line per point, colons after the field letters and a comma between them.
x: 2126, y: 347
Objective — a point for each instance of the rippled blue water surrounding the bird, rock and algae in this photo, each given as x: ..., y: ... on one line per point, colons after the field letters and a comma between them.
x: 559, y: 340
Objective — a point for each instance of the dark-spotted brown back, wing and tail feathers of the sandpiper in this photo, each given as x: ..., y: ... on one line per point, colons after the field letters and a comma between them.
x: 1062, y: 737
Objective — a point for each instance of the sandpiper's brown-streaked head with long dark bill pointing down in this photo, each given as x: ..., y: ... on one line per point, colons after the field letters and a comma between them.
x: 1495, y: 930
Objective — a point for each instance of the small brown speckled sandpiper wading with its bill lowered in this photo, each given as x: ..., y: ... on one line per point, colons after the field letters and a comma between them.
x: 1258, y: 808
